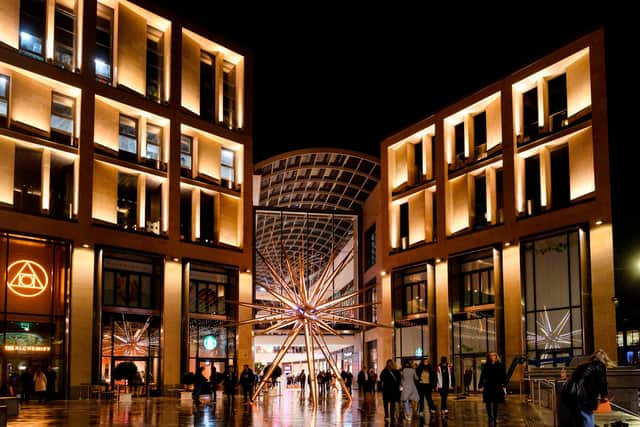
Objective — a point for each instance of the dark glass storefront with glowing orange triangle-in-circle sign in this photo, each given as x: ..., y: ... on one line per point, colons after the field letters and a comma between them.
x: 33, y: 311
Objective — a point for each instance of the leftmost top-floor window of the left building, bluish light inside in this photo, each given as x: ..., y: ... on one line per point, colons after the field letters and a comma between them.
x: 32, y: 27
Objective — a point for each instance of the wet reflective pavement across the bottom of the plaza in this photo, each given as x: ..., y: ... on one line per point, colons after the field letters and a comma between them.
x: 288, y: 409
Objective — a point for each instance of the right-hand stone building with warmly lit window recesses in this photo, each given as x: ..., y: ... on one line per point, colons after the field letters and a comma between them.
x: 496, y: 229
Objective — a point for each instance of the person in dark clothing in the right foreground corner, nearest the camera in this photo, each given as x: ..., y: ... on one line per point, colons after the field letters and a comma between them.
x: 586, y: 388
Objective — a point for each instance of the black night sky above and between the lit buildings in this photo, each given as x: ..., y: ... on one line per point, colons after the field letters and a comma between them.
x: 348, y: 78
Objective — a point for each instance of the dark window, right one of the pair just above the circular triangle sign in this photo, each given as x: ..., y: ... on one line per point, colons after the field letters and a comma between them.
x: 61, y: 187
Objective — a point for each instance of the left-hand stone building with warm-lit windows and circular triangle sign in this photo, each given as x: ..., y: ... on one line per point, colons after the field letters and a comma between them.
x: 125, y: 157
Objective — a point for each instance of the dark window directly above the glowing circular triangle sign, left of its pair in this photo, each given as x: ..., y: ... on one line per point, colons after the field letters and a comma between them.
x: 27, y: 180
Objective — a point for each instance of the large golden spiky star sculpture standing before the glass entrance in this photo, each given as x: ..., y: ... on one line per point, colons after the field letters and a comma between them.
x: 307, y: 311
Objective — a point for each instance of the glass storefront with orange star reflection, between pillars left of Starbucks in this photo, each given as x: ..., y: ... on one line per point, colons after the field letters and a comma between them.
x: 130, y: 306
